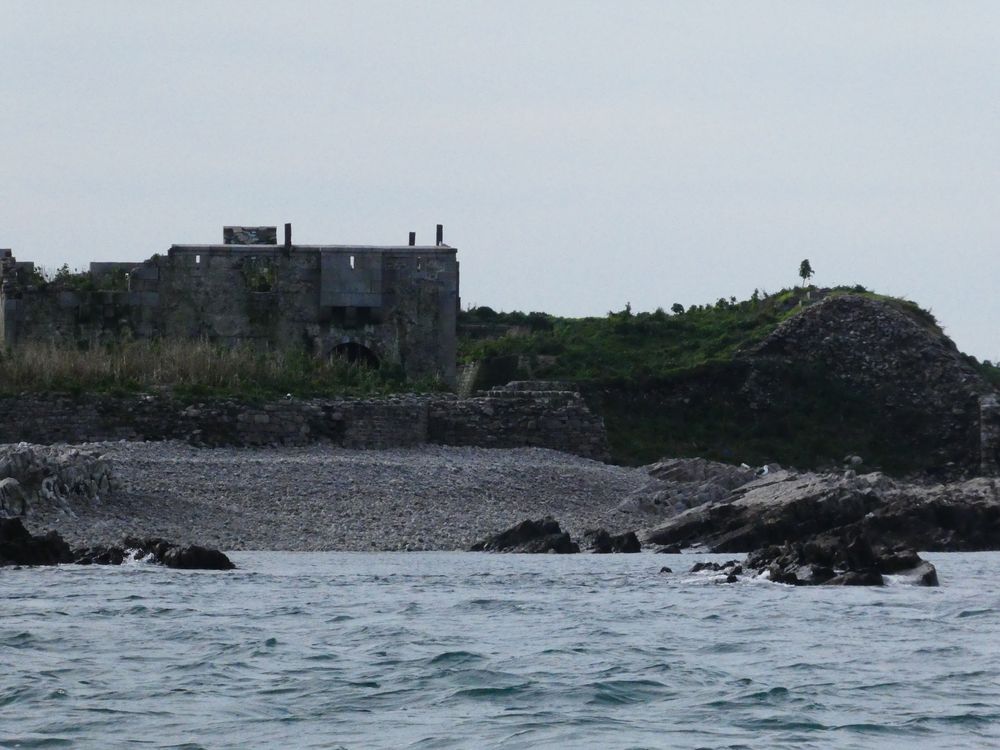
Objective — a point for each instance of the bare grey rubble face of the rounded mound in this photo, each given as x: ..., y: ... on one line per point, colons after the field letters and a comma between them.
x: 886, y: 359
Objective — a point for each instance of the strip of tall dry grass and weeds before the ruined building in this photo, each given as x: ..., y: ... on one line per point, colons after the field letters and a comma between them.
x: 193, y: 369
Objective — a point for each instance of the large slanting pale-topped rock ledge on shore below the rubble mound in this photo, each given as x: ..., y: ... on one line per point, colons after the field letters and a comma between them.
x: 791, y: 507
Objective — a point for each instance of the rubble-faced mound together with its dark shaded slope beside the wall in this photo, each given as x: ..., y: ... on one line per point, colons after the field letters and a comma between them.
x: 847, y: 374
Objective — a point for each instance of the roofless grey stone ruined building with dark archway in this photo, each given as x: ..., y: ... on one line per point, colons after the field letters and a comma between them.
x: 395, y: 305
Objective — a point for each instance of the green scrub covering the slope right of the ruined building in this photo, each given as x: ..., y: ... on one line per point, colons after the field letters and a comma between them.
x: 669, y: 384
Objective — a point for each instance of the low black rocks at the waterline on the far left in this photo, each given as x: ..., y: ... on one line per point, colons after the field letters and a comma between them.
x: 19, y: 547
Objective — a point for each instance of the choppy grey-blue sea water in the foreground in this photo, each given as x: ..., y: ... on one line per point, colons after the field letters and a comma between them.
x: 444, y: 650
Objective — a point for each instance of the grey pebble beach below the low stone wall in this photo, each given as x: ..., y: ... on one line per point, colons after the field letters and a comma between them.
x: 325, y: 498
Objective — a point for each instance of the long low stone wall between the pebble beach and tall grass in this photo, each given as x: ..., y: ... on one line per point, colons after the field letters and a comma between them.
x: 556, y: 420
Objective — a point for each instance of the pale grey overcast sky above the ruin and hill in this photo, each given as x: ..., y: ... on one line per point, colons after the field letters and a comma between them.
x: 581, y: 155
